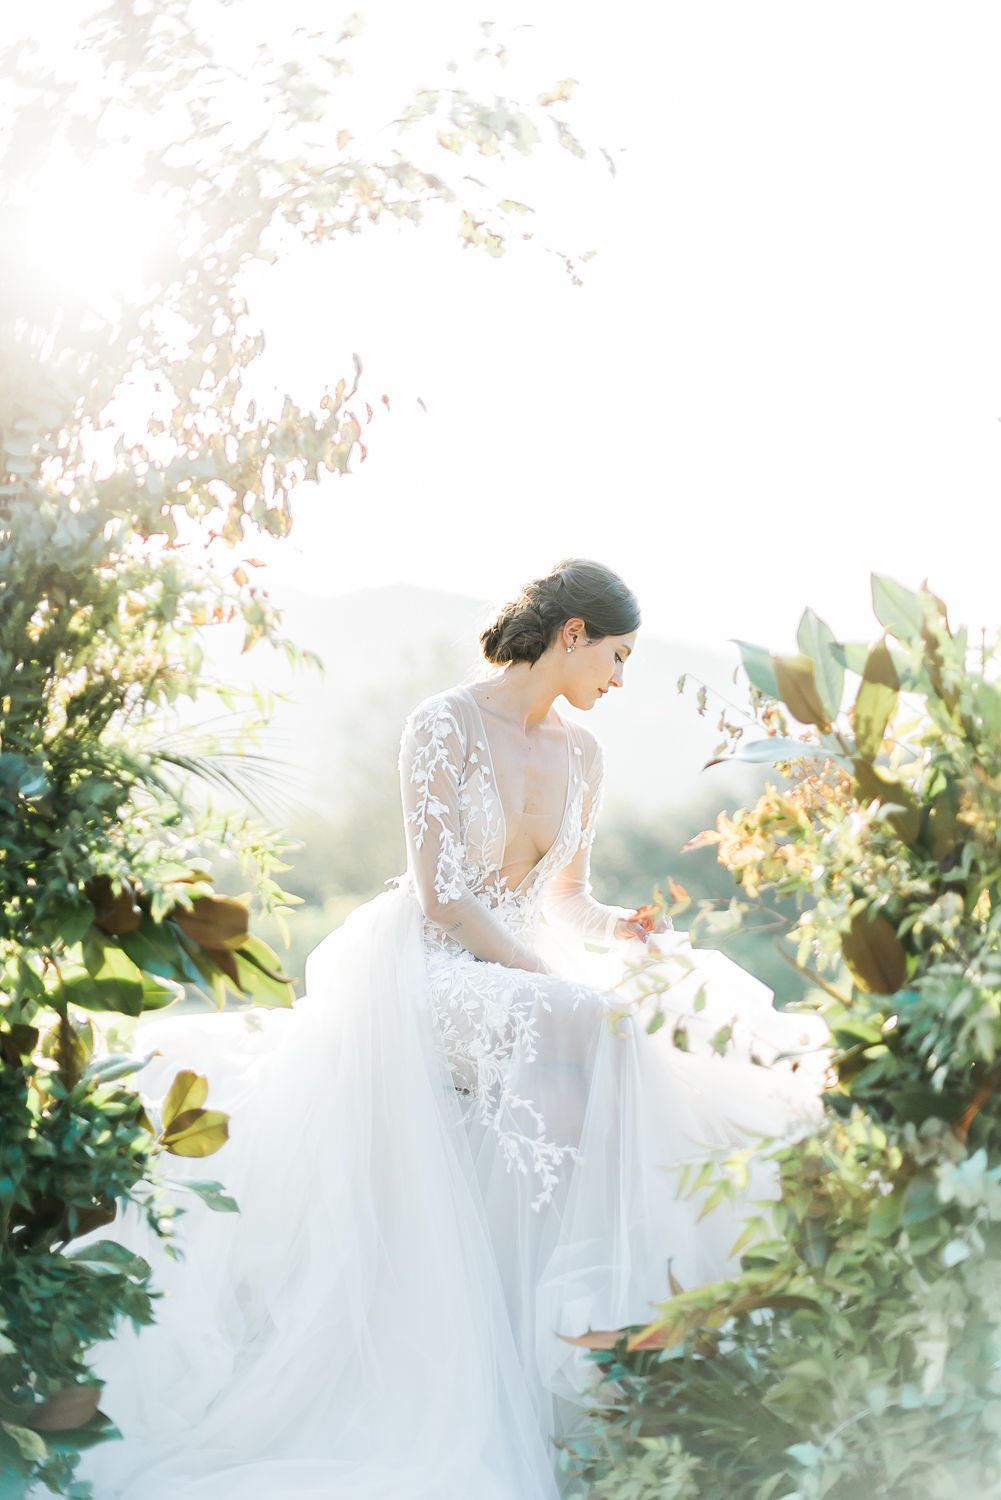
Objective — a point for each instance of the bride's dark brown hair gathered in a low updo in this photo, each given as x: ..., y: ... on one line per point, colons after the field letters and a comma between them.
x: 576, y: 590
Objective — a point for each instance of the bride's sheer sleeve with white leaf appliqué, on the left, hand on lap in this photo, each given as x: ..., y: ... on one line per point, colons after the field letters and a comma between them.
x: 431, y: 760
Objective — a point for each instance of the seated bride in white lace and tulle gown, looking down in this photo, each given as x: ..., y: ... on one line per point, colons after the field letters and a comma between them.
x: 457, y: 1148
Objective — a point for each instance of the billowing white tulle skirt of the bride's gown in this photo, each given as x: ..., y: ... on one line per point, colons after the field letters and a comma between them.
x: 382, y: 1319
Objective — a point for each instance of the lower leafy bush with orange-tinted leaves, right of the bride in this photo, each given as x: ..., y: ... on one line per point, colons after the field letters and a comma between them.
x: 859, y: 1351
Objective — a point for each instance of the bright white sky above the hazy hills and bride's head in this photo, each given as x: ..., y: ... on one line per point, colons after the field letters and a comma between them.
x: 783, y: 371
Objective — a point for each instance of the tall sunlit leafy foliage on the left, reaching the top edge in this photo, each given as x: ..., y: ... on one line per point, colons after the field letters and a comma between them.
x: 137, y: 469
